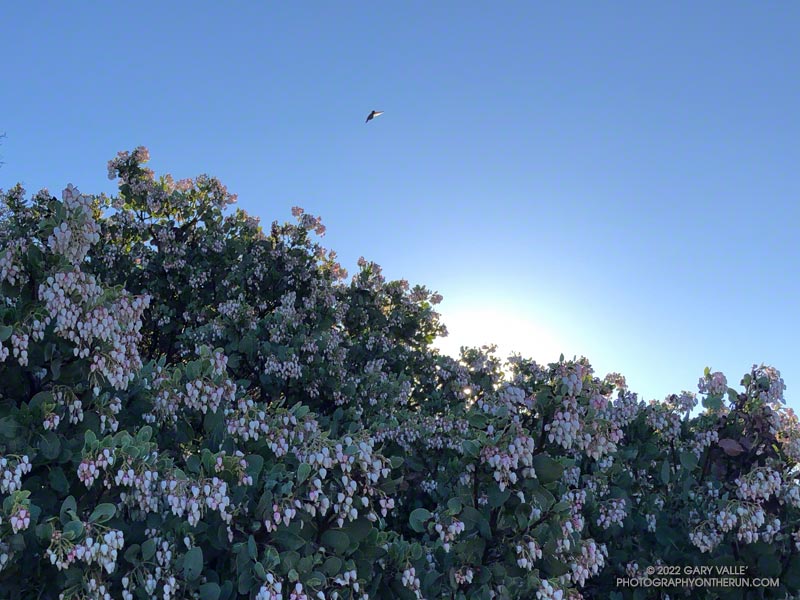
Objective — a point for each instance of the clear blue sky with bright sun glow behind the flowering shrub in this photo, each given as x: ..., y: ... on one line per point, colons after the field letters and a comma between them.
x: 618, y: 180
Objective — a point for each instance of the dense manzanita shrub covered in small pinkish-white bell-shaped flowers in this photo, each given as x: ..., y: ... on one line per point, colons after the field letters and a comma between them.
x: 192, y: 406
